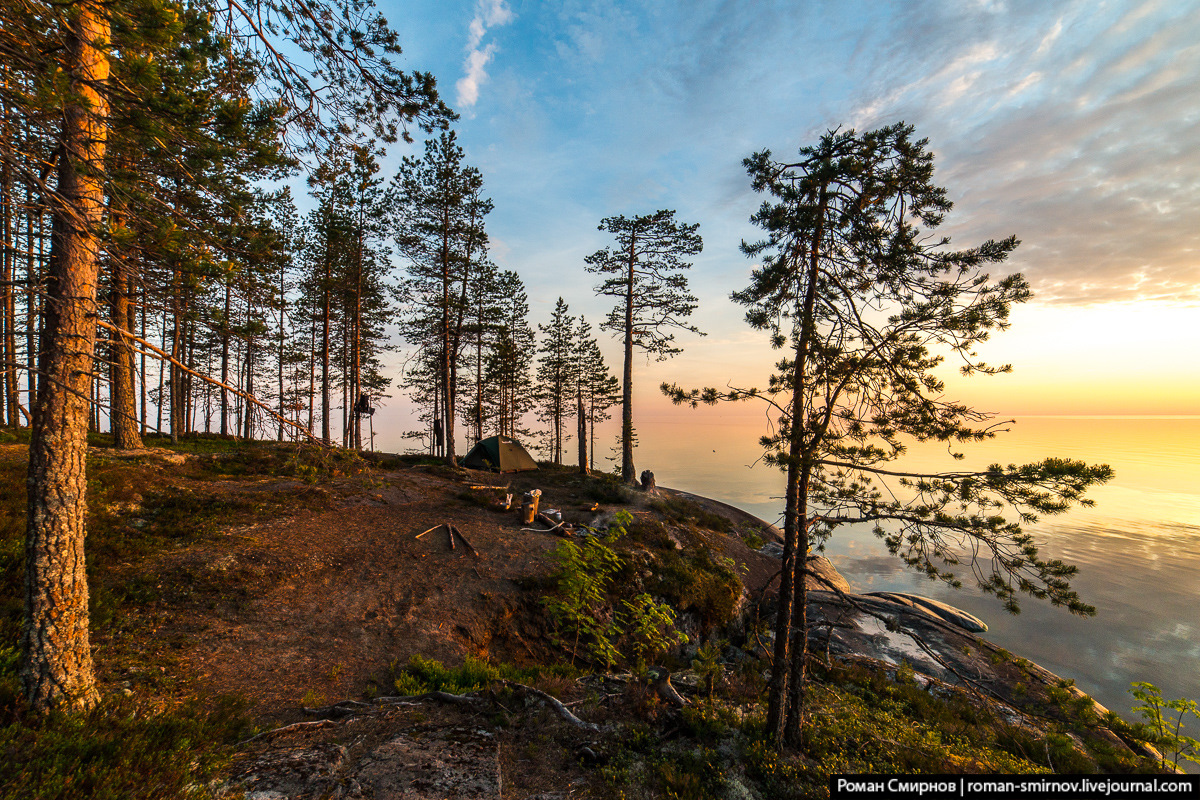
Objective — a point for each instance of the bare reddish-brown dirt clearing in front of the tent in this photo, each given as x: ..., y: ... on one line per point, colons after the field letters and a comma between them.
x: 314, y: 609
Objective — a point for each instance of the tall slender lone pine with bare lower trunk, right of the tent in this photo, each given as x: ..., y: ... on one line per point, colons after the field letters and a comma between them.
x: 646, y: 268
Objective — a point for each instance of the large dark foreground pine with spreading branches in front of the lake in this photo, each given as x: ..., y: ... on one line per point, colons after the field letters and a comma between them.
x: 867, y: 303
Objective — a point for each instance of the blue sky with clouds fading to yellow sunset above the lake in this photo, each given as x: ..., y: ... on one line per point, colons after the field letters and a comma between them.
x: 1073, y: 125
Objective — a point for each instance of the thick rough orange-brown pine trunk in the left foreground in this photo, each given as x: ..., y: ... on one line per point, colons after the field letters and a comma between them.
x: 57, y: 666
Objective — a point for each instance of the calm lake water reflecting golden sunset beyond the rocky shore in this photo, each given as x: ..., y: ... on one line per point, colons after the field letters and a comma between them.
x: 1138, y: 549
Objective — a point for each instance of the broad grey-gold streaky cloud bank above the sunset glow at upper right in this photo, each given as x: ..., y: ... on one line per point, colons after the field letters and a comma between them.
x: 1075, y: 136
